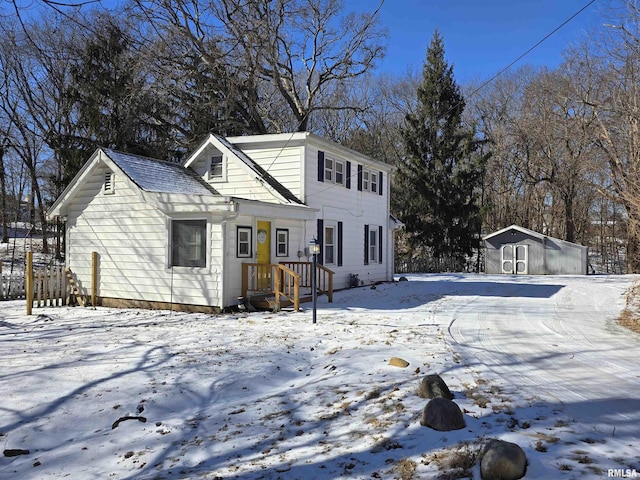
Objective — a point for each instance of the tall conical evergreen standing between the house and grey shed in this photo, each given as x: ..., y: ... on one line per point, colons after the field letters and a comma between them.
x: 437, y: 181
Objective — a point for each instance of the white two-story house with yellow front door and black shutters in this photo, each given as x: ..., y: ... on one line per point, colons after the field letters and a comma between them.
x: 187, y: 234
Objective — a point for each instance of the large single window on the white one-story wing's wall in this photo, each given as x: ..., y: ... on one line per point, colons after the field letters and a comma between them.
x: 189, y: 243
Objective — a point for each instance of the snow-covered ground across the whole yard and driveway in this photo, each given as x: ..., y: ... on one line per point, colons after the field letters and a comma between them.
x: 538, y: 361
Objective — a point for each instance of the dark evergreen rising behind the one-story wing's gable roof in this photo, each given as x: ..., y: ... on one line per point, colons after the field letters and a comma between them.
x: 115, y: 103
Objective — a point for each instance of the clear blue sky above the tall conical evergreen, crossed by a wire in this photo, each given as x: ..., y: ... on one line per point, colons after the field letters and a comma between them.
x: 481, y: 37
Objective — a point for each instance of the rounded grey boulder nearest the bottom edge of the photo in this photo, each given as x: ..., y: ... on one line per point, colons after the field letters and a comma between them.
x: 503, y: 461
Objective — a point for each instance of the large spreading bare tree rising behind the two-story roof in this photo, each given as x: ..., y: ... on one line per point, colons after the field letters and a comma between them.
x: 302, y: 49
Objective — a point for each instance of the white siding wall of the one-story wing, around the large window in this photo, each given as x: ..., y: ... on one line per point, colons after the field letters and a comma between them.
x: 132, y: 239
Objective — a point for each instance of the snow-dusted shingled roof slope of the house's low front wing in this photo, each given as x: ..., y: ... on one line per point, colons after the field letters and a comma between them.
x: 160, y: 176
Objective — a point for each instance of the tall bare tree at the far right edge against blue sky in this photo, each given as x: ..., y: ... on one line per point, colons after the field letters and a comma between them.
x: 610, y: 77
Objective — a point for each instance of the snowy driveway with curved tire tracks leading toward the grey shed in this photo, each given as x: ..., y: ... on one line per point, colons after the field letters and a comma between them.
x: 554, y: 338
